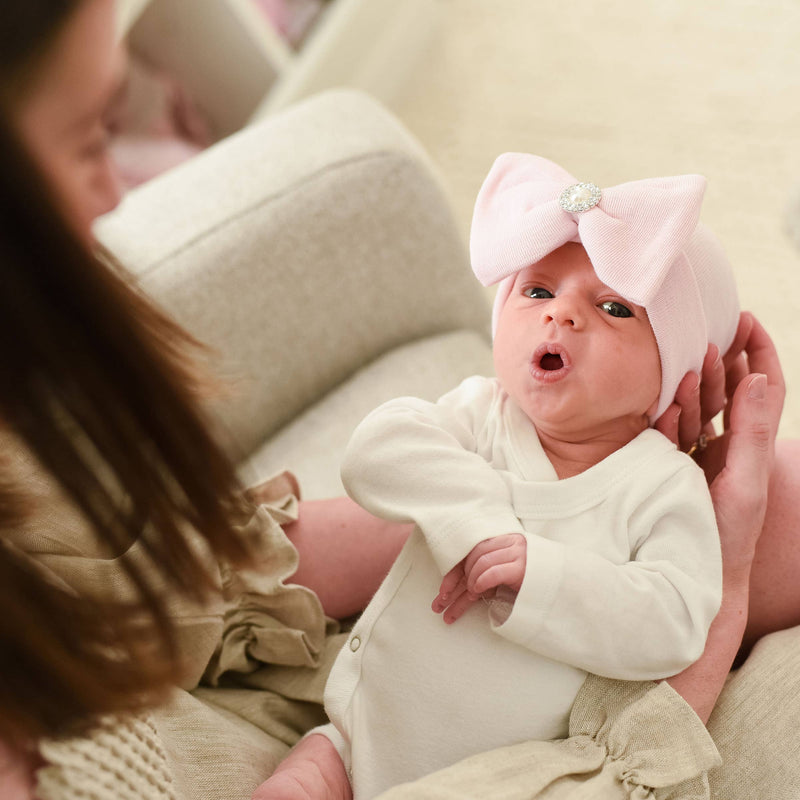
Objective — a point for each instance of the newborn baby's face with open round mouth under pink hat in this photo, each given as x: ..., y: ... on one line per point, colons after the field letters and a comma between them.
x: 578, y: 359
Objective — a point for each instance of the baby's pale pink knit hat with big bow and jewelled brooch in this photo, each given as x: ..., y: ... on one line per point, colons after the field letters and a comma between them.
x: 643, y: 238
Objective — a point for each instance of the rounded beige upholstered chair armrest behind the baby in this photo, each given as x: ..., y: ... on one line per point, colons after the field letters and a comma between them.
x: 300, y: 249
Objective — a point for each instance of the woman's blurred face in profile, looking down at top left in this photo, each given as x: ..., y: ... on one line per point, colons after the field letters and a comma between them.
x: 63, y: 116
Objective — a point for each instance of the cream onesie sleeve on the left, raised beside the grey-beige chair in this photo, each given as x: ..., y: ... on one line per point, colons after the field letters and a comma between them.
x: 416, y: 461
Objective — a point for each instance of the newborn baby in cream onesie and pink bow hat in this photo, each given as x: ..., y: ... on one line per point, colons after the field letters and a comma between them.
x: 545, y: 490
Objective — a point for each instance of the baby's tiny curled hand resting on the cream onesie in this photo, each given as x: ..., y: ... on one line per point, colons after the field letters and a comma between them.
x: 494, y: 562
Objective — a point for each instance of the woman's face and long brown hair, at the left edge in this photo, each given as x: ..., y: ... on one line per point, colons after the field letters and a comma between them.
x: 88, y: 360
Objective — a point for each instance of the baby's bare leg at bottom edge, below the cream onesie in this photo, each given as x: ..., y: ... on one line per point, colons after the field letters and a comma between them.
x: 313, y: 770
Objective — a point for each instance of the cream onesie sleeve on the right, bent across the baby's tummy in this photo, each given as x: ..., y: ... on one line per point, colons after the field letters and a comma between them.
x: 642, y: 620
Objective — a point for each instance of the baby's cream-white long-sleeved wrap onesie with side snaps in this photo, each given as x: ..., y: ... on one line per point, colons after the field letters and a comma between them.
x: 623, y: 579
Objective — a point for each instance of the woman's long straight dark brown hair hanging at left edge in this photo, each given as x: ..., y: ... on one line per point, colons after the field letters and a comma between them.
x: 95, y: 381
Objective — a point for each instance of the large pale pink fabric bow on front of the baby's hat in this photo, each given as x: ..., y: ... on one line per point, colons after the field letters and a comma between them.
x: 632, y: 236
